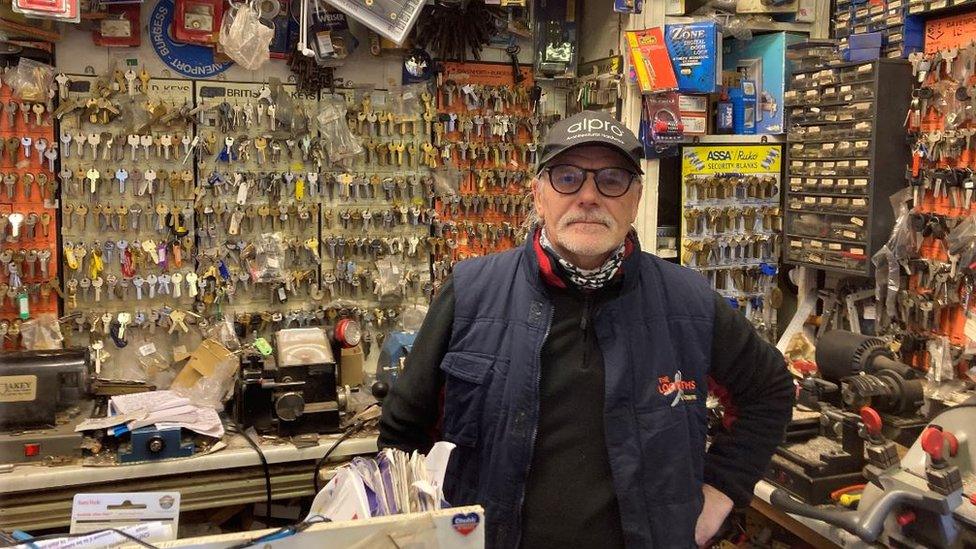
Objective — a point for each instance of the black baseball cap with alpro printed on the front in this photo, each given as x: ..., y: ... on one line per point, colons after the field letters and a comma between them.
x: 591, y: 128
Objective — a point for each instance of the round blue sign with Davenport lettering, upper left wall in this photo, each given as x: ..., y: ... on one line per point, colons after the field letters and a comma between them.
x: 186, y: 59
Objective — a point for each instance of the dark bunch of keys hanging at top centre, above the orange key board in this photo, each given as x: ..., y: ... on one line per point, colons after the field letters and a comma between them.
x: 452, y: 30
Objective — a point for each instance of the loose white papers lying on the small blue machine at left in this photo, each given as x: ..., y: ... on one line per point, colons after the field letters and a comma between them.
x: 160, y: 409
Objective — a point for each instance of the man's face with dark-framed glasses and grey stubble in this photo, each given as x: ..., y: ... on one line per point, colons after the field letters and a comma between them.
x: 587, y: 224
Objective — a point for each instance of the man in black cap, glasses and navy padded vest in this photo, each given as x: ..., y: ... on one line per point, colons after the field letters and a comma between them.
x: 572, y: 373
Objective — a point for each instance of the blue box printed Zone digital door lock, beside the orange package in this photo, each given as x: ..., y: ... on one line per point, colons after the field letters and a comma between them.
x: 696, y: 54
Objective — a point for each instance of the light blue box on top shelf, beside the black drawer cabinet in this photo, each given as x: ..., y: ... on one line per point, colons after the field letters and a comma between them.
x: 763, y: 61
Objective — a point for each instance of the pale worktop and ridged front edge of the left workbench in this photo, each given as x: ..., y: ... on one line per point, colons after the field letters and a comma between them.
x: 34, y: 497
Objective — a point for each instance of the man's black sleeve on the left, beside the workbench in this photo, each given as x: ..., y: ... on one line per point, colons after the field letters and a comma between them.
x: 412, y: 408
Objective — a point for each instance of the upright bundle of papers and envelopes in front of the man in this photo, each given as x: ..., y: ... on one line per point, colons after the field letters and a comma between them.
x: 392, y: 483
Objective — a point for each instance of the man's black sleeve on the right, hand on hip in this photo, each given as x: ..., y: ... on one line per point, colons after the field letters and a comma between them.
x: 750, y: 376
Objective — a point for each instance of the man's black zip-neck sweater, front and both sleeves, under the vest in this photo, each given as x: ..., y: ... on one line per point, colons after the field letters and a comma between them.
x: 569, y: 498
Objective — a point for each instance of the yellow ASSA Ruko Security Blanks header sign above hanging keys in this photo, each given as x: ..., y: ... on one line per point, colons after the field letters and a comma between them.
x: 731, y: 159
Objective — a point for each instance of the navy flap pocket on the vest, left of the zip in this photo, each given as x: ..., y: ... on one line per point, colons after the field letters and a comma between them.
x: 465, y: 386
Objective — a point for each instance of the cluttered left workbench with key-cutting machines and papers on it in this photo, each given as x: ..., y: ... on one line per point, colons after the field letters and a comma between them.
x: 236, y: 427
